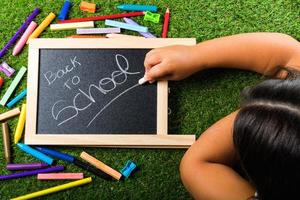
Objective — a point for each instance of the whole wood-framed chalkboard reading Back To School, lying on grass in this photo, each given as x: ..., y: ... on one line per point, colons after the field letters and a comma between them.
x: 85, y: 92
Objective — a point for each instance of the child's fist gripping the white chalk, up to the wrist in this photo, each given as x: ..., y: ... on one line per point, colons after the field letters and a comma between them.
x: 169, y: 63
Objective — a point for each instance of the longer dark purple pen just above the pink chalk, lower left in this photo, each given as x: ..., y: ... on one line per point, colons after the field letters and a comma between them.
x: 31, y: 173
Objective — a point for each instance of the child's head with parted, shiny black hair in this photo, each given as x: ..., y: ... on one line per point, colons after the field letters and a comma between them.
x: 267, y: 138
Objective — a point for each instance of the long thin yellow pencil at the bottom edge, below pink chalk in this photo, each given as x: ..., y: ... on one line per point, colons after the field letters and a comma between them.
x: 54, y: 189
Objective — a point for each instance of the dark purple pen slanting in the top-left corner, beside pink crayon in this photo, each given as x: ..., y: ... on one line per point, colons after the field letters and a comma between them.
x: 19, y: 31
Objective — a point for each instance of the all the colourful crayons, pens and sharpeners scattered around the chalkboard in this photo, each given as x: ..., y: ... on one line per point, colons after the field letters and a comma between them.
x: 85, y: 28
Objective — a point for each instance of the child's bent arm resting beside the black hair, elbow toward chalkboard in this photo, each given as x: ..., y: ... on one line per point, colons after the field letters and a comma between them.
x: 206, y: 167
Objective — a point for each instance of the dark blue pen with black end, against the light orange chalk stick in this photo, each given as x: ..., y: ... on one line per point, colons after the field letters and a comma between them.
x: 71, y: 159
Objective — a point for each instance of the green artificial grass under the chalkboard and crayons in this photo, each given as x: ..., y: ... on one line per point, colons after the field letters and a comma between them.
x: 196, y: 102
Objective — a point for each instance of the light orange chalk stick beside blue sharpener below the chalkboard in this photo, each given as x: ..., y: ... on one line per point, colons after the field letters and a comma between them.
x: 100, y: 165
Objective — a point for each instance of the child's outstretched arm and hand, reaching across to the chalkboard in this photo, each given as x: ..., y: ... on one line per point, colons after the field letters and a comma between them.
x: 265, y: 53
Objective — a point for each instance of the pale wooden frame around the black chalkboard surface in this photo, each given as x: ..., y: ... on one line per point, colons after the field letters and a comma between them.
x: 159, y: 140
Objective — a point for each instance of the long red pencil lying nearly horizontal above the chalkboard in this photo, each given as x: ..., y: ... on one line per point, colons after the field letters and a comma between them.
x: 104, y: 17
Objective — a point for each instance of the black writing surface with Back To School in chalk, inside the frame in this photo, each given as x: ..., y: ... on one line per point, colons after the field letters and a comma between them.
x: 94, y: 91
